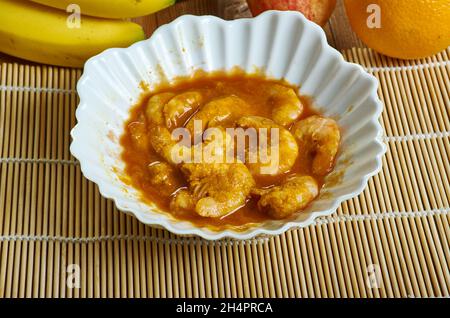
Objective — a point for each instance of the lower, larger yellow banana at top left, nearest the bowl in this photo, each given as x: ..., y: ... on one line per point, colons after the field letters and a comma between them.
x: 46, y: 35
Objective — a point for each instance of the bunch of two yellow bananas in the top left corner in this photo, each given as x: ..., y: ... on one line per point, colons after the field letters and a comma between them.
x: 40, y: 31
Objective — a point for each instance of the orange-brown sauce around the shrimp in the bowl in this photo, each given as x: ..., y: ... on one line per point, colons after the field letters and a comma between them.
x: 248, y: 88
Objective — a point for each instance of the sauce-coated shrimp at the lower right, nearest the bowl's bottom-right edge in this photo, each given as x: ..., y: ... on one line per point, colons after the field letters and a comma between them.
x: 291, y: 196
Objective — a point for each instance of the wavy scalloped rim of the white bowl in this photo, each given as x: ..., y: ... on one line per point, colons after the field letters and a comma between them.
x: 251, y: 232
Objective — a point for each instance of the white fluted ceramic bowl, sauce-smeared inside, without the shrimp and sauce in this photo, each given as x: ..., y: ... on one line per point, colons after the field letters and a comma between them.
x: 285, y: 45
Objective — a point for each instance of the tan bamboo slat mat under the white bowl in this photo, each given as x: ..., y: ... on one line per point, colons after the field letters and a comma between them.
x: 391, y: 241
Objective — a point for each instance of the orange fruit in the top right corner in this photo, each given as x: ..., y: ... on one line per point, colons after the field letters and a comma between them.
x: 408, y: 30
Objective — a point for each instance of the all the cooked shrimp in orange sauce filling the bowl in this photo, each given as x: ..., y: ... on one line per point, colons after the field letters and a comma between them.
x: 213, y: 183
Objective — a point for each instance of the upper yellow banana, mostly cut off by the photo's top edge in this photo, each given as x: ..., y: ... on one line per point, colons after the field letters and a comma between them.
x: 118, y: 9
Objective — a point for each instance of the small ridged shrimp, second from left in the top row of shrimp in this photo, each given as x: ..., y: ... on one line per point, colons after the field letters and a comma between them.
x: 181, y: 106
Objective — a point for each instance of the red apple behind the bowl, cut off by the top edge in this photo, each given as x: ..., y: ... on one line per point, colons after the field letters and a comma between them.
x: 318, y: 11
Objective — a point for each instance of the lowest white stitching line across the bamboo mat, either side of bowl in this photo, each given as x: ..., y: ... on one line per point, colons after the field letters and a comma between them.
x: 318, y: 221
